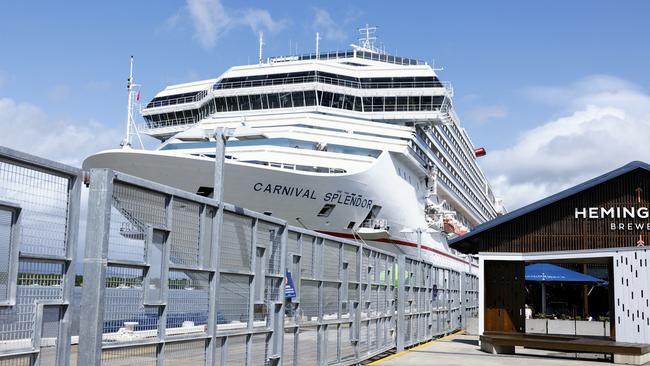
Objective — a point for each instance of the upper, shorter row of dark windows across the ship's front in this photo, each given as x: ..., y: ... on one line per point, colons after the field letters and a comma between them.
x: 328, y: 78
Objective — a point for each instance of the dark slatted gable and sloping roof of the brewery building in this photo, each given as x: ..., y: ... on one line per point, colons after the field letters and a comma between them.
x: 554, y: 216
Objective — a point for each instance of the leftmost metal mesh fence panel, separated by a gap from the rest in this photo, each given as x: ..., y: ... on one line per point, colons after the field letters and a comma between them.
x: 39, y: 214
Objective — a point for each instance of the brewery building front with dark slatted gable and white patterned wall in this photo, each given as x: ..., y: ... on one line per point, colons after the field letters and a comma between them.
x: 605, y: 220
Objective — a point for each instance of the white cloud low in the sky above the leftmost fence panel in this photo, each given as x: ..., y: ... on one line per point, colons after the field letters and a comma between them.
x: 27, y: 128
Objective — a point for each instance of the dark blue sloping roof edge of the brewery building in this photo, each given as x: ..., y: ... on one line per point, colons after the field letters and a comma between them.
x: 457, y: 242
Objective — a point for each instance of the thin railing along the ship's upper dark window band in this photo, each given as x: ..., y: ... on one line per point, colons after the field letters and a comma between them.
x: 333, y: 81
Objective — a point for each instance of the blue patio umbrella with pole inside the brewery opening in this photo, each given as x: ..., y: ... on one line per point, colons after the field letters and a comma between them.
x: 545, y: 273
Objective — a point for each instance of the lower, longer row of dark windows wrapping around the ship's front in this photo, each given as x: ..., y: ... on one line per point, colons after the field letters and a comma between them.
x: 299, y: 99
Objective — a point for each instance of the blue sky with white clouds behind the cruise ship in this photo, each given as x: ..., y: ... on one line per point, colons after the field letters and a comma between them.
x: 557, y: 91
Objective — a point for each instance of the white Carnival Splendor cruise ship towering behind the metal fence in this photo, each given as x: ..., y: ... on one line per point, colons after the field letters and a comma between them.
x: 359, y: 144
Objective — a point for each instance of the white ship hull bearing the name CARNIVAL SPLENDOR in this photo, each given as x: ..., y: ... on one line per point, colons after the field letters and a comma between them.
x: 298, y: 197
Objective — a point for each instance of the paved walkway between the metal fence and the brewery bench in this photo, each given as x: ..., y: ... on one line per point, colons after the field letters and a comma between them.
x: 463, y: 350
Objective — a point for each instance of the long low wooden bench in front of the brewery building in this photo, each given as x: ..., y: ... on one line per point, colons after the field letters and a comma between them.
x: 504, y: 343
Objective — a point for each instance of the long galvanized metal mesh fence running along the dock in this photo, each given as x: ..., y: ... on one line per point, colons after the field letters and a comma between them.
x: 172, y: 278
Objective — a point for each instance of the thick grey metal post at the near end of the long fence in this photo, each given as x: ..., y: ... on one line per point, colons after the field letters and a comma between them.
x: 95, y: 260
